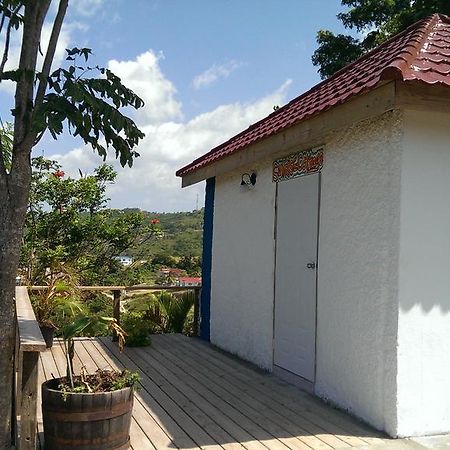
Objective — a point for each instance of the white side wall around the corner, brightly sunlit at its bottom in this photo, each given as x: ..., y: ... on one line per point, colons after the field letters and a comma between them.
x: 424, y: 282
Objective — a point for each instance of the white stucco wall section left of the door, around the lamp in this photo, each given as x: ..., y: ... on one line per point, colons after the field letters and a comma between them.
x: 243, y: 266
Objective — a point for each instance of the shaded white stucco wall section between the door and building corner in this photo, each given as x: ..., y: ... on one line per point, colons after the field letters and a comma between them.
x: 358, y: 265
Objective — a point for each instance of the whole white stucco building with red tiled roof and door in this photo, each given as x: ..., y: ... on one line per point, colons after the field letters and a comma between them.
x: 327, y: 237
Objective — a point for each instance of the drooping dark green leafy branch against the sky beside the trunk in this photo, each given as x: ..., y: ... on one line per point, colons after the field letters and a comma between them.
x: 70, y: 97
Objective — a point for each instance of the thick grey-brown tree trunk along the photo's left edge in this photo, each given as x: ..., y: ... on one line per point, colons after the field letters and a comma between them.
x: 14, y: 193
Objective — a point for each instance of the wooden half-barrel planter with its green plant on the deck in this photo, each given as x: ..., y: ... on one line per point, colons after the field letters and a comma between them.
x: 88, y: 411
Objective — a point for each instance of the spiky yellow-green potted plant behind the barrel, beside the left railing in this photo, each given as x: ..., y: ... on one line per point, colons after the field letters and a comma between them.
x: 57, y: 305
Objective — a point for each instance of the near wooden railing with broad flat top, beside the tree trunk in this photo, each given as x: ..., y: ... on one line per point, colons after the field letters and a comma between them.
x: 29, y: 343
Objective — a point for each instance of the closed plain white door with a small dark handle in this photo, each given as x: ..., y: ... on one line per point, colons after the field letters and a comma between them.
x: 296, y: 275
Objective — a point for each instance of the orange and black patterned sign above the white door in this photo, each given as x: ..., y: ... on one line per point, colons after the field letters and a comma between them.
x: 297, y: 165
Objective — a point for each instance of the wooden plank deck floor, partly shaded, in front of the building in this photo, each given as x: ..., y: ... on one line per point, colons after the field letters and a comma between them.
x: 194, y: 396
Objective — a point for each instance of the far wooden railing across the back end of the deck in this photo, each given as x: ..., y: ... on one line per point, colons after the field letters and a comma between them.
x: 119, y: 292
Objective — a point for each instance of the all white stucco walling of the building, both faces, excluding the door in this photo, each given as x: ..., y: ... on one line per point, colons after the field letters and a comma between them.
x: 383, y: 311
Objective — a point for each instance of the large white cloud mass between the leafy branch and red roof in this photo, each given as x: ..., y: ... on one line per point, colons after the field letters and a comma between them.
x: 151, y: 183
